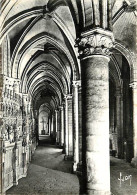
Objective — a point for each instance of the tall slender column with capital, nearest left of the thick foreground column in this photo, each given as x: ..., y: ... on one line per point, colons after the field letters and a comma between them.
x: 76, y: 85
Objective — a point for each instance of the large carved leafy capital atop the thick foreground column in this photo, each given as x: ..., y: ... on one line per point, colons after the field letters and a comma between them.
x: 95, y: 42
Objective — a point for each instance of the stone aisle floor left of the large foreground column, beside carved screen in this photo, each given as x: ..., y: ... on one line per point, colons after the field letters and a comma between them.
x: 48, y: 173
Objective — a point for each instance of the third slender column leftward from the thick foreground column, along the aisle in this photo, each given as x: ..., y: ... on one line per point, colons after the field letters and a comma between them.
x: 62, y: 126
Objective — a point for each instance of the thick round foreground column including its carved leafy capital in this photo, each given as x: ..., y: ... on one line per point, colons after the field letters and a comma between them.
x: 94, y: 52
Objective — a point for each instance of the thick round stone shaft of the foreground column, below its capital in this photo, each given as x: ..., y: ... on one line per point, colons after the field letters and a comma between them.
x: 95, y: 96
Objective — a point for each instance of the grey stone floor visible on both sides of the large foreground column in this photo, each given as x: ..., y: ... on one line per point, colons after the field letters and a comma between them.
x: 48, y: 173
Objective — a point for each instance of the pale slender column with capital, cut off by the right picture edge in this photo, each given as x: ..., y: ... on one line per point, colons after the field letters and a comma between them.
x: 134, y: 89
